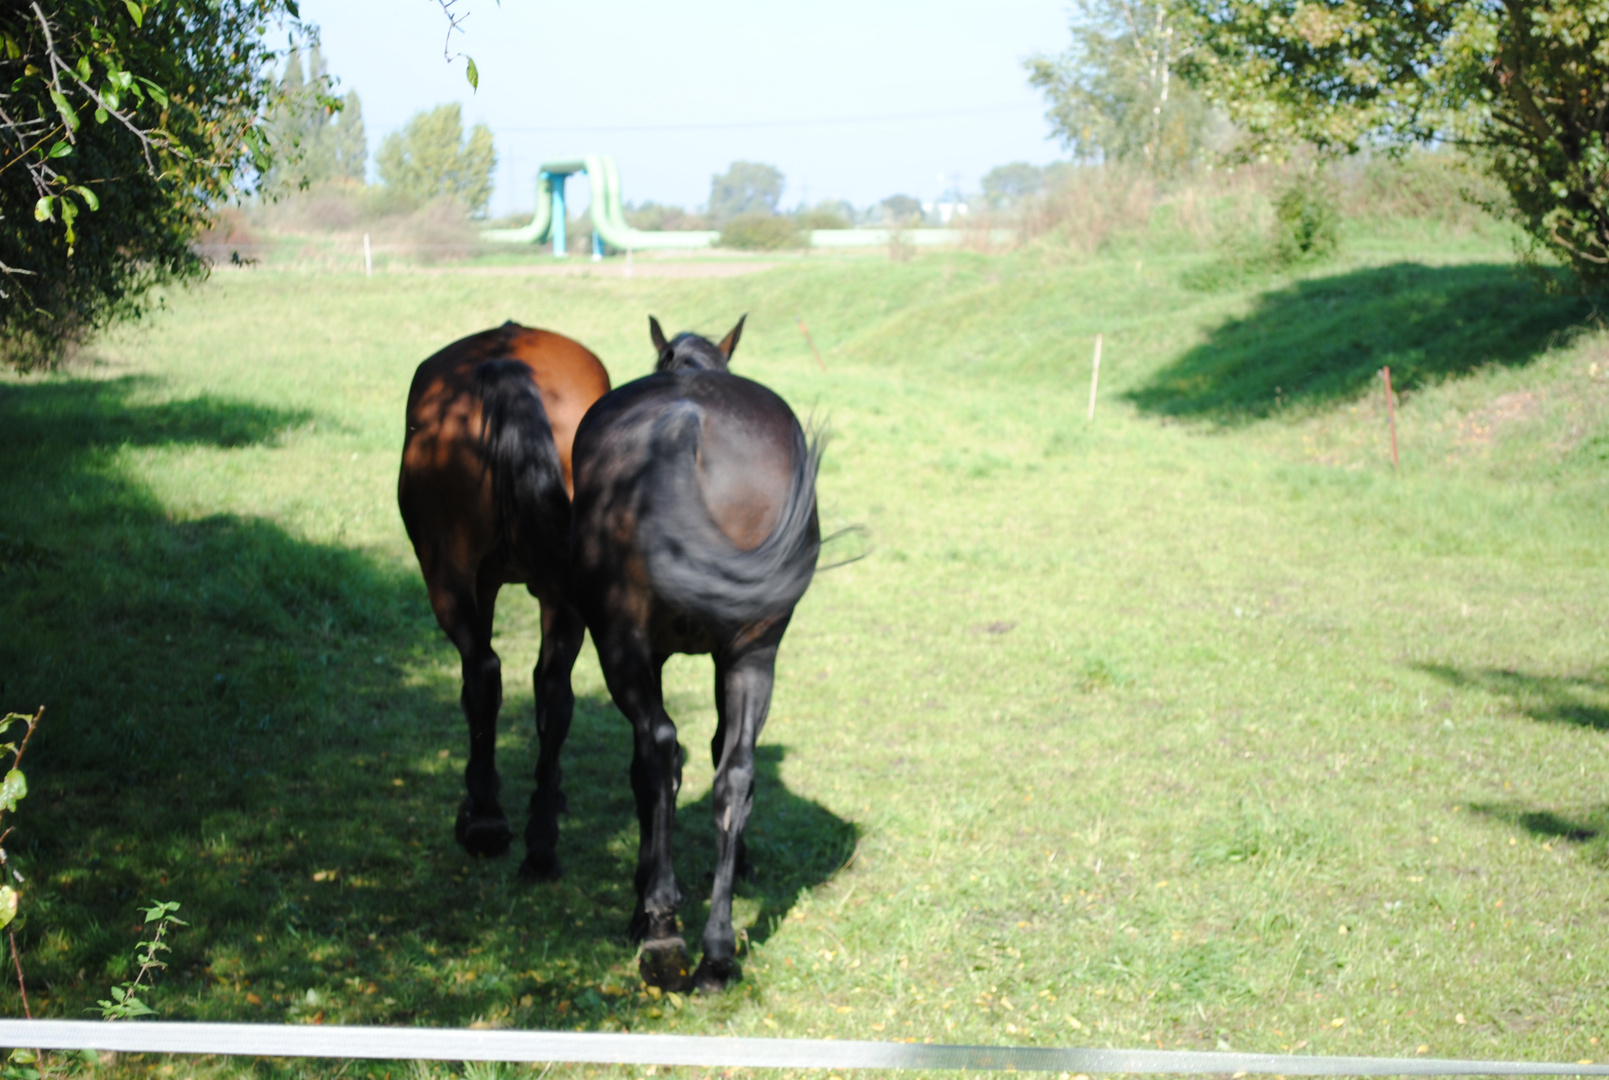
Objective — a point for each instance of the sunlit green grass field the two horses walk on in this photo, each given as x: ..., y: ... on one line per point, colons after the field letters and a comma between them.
x: 1191, y: 727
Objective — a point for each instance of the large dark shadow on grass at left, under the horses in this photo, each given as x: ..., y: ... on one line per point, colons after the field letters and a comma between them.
x: 266, y: 730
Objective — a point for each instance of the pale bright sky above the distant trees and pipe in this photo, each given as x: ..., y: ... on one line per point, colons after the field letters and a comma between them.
x: 850, y: 99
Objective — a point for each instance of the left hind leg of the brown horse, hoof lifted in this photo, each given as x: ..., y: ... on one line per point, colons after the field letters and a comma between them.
x: 467, y: 616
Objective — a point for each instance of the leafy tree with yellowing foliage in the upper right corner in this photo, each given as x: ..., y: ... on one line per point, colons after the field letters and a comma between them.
x: 1521, y: 85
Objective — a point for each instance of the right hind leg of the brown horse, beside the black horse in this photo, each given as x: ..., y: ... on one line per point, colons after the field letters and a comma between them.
x: 562, y: 635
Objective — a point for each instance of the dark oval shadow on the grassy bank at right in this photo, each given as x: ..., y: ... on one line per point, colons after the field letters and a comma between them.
x: 1322, y: 342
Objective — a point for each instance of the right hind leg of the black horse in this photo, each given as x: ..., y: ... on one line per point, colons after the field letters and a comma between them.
x: 744, y: 690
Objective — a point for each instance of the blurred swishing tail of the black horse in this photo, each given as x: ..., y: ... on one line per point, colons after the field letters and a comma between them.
x: 693, y: 564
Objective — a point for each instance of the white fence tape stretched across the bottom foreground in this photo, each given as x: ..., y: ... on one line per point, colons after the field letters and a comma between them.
x: 434, y: 1044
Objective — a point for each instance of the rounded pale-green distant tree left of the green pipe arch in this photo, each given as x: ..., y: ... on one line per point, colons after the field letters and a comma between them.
x: 430, y: 159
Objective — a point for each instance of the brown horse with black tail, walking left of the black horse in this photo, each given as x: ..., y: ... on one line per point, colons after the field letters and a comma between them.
x: 485, y: 497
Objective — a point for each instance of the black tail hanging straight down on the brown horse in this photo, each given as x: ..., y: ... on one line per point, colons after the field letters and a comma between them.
x: 517, y: 447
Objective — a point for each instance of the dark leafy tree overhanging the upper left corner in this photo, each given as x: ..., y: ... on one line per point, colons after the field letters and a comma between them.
x: 121, y: 126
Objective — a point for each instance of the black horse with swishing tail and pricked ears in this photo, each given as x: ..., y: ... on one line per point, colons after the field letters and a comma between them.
x: 694, y: 532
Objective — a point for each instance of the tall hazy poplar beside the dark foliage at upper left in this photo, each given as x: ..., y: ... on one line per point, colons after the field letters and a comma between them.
x: 319, y: 134
